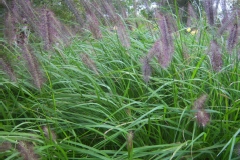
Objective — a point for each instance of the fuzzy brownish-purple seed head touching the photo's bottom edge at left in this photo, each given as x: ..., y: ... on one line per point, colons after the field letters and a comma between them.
x: 26, y: 151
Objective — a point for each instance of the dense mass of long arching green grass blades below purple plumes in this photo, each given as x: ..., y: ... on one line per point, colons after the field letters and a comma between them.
x: 95, y: 102
